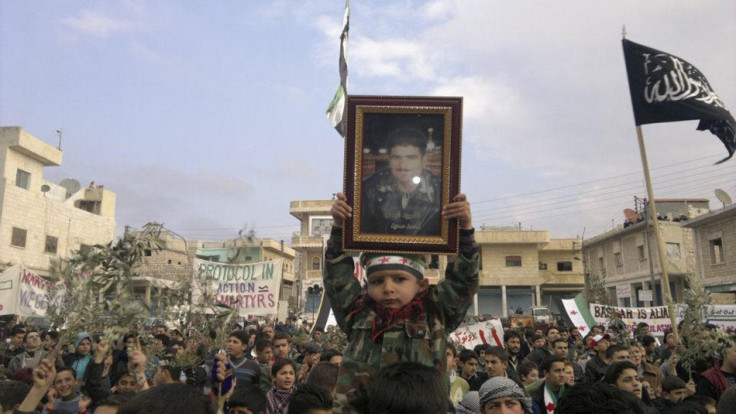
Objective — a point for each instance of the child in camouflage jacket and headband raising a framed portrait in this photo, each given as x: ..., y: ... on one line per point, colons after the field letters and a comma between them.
x: 400, y: 318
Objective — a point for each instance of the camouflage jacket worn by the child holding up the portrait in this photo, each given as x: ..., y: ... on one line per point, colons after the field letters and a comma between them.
x: 422, y: 340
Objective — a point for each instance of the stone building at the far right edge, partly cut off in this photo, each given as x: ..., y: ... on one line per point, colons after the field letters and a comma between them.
x: 715, y: 252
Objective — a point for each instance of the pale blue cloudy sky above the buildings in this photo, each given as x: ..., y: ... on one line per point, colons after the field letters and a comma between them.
x: 208, y: 116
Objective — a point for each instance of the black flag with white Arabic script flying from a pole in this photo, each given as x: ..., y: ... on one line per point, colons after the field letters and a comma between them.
x: 666, y: 88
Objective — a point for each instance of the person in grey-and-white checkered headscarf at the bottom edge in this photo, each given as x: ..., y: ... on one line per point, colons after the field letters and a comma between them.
x: 503, y: 395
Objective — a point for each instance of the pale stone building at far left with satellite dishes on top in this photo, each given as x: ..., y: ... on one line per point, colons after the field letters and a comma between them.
x: 41, y: 220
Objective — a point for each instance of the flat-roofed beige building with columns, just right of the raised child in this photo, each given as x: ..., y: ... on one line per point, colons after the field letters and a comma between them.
x: 525, y: 268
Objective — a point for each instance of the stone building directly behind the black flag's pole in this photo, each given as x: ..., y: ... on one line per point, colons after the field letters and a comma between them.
x: 628, y: 256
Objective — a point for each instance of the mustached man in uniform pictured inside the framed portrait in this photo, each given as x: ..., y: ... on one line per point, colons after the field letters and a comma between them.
x: 403, y: 198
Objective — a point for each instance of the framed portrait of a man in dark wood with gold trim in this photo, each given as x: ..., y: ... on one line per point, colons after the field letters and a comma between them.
x: 402, y: 165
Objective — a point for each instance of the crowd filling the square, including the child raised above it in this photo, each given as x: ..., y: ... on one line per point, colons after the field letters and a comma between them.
x: 397, y: 358
